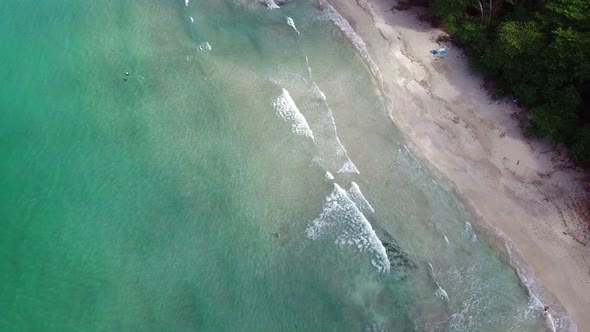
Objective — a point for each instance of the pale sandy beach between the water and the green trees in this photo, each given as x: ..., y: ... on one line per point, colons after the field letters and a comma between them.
x: 524, y: 193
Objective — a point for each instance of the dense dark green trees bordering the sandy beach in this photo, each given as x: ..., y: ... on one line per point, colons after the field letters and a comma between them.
x: 538, y: 50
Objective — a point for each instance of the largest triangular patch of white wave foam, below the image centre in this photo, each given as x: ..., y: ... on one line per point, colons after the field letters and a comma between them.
x: 341, y: 215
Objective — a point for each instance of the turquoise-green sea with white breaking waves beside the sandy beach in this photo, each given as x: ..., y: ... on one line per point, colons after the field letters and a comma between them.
x: 153, y: 201
